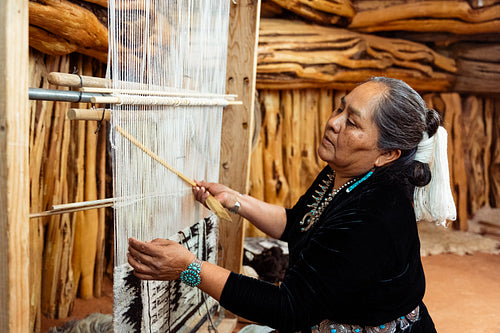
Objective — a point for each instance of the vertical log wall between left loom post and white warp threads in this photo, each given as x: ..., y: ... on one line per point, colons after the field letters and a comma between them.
x: 67, y: 164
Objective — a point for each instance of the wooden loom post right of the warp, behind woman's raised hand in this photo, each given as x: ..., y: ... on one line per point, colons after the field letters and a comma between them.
x: 237, y: 122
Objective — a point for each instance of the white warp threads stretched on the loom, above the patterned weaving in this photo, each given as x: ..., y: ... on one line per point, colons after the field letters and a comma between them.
x: 170, y: 46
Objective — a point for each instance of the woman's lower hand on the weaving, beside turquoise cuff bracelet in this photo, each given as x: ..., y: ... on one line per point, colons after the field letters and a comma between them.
x: 160, y: 259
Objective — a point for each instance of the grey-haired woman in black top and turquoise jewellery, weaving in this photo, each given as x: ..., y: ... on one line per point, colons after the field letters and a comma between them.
x: 353, y: 241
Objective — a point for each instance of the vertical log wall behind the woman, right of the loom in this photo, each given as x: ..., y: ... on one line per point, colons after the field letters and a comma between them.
x: 284, y: 160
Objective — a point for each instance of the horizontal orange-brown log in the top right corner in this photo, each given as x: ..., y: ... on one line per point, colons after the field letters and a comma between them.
x: 446, y: 16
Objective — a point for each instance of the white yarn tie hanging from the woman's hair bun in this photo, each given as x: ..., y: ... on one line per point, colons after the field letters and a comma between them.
x: 434, y: 201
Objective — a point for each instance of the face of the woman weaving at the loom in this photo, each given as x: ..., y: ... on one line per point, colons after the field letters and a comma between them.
x: 349, y: 143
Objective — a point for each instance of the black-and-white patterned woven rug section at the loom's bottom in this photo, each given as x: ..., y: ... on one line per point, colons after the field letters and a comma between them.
x: 165, y: 306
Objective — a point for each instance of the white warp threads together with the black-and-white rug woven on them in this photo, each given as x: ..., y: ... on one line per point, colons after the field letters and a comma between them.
x: 167, y: 65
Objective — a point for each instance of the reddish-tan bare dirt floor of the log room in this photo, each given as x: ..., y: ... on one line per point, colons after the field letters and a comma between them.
x: 463, y: 294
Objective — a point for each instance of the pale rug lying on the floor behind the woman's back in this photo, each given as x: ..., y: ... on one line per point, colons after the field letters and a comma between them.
x: 438, y: 240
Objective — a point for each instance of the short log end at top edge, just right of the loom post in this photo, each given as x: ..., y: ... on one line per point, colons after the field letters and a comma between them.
x: 329, y: 12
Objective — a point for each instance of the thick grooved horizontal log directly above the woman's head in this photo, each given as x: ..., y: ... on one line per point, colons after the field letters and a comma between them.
x: 299, y: 55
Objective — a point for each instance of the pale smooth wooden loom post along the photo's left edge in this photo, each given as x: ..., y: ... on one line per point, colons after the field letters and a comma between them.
x: 14, y: 175
